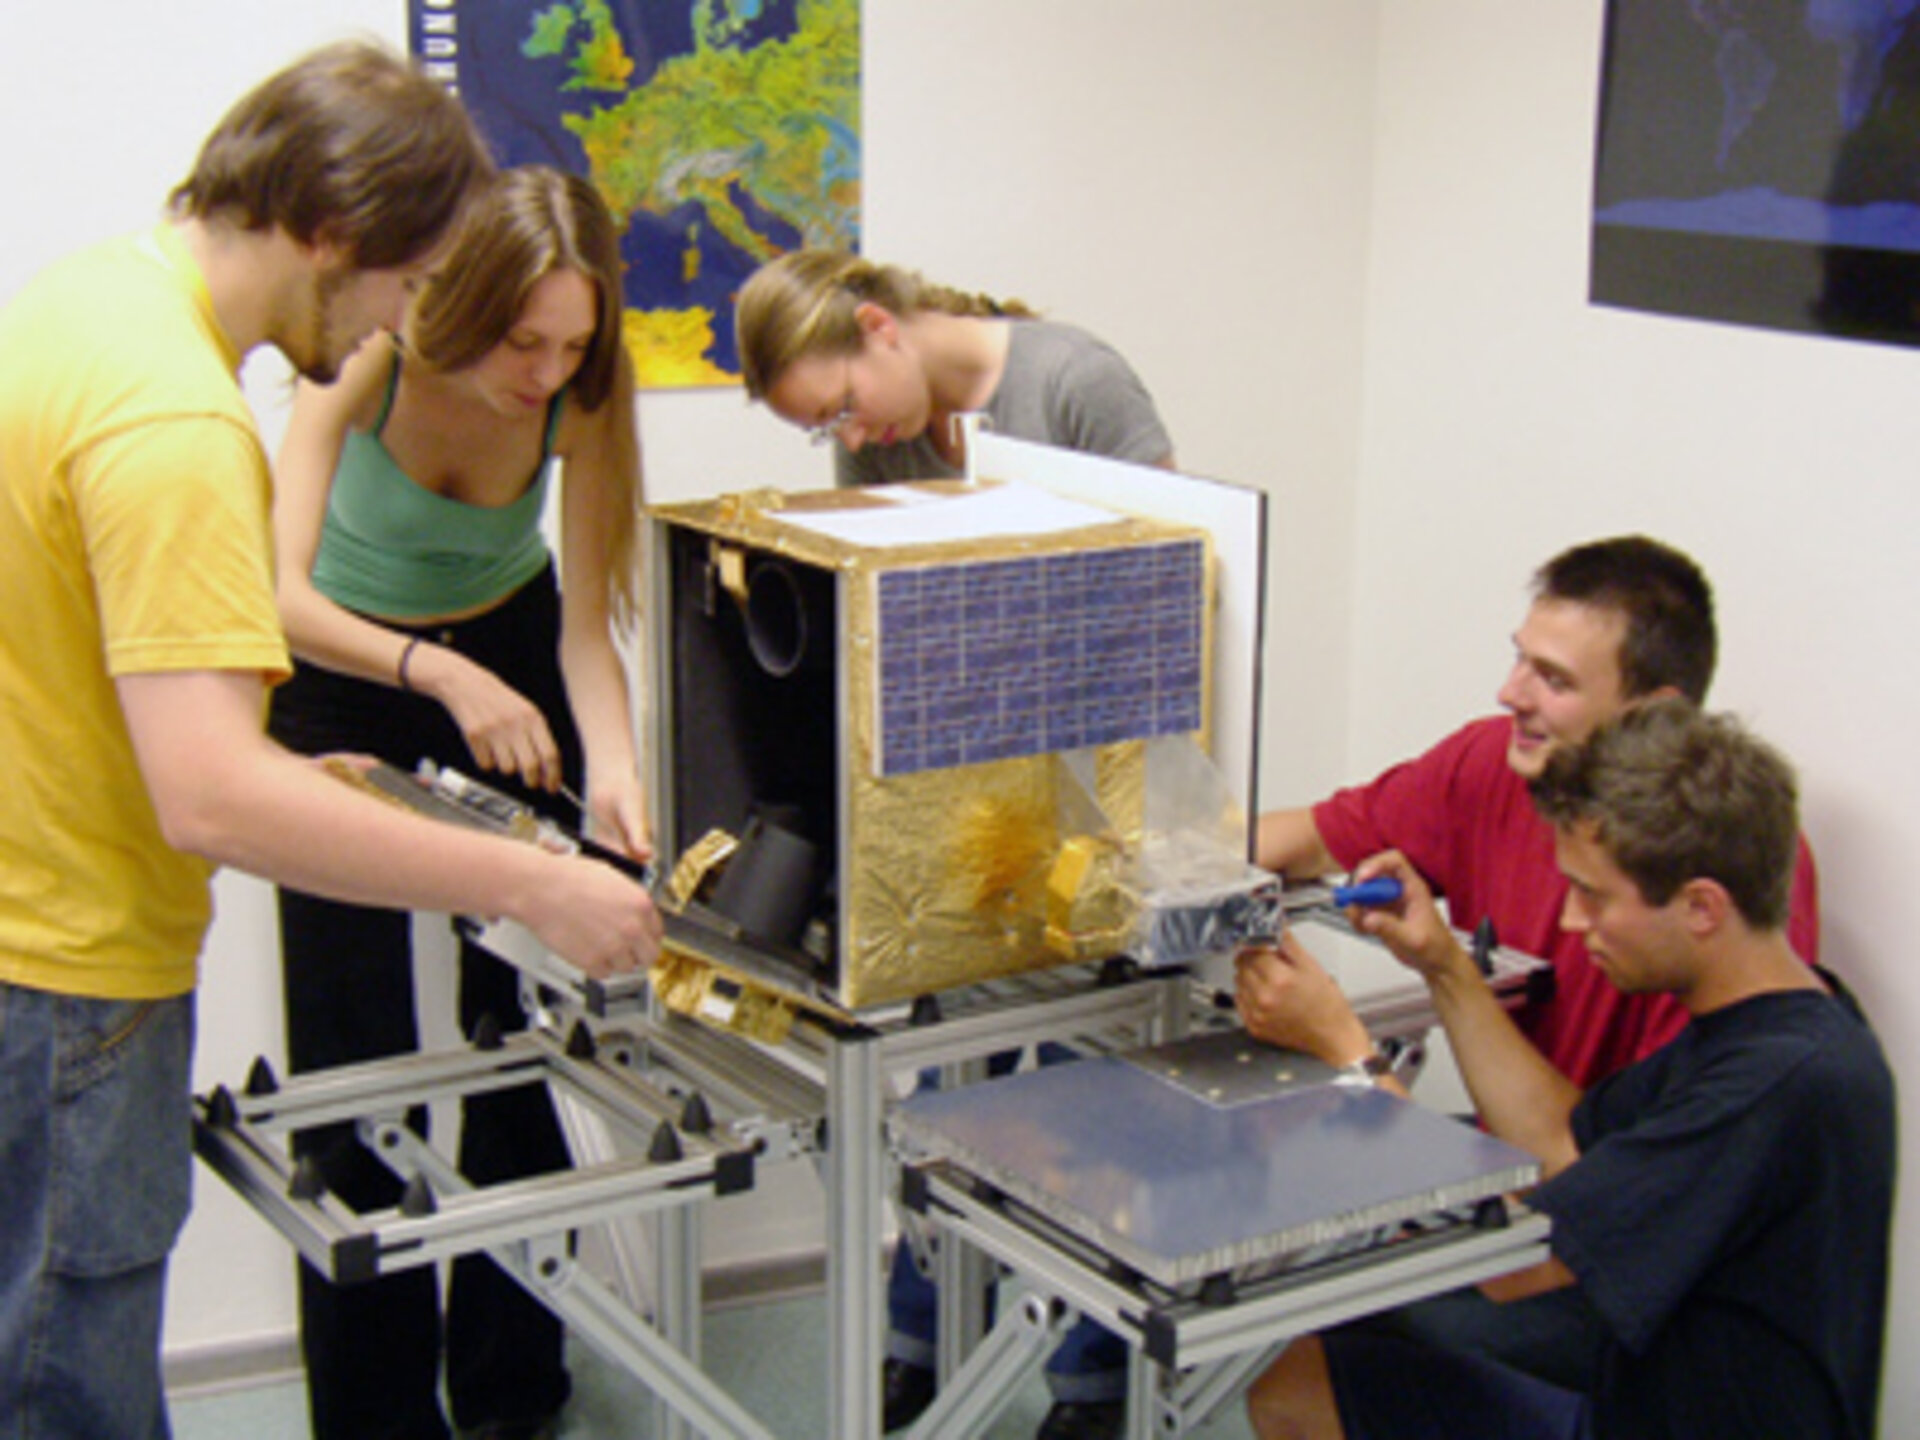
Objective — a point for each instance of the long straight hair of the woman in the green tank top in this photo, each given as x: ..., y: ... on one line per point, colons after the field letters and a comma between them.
x: 537, y: 222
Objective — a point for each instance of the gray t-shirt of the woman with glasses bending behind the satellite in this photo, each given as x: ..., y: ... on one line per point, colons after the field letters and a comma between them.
x: 1061, y: 387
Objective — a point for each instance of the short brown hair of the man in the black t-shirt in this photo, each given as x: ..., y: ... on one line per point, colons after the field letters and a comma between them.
x: 1675, y: 794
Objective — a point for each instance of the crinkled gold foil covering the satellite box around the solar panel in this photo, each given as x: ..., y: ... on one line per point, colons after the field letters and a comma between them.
x: 948, y: 873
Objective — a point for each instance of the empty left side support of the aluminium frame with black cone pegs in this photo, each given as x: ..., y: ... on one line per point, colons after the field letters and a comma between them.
x: 523, y: 1224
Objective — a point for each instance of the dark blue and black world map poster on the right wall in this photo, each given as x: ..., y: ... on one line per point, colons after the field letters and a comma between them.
x: 1760, y: 164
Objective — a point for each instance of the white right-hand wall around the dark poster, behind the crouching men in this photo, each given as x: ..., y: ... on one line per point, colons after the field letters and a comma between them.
x: 1506, y: 420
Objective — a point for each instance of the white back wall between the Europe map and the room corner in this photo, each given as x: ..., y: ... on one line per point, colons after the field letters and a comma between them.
x: 1189, y: 181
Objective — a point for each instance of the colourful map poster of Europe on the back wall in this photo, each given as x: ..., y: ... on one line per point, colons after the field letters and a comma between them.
x: 721, y: 133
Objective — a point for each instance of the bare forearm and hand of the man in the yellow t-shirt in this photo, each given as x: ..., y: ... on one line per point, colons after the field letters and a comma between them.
x: 229, y: 794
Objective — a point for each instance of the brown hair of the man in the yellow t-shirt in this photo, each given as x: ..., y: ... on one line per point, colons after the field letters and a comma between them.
x: 352, y: 147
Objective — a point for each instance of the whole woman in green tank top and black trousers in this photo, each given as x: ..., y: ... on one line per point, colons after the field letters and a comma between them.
x: 423, y: 610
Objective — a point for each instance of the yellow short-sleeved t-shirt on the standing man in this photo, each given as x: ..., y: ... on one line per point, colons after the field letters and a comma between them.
x: 135, y: 529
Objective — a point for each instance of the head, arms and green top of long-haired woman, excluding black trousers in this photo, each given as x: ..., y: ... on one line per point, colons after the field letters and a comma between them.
x: 512, y: 356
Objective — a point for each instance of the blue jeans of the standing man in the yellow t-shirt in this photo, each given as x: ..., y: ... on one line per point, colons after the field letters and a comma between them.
x: 95, y: 1182
